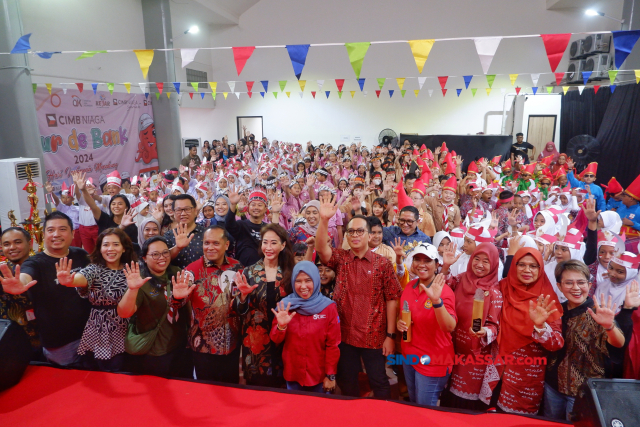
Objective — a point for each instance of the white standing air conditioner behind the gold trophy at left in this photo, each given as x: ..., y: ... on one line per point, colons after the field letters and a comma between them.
x: 14, y: 177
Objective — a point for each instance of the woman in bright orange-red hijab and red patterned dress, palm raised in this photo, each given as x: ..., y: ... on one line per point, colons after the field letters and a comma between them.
x: 530, y: 325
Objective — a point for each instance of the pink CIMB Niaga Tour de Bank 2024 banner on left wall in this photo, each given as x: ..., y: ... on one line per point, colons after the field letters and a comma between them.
x: 95, y: 133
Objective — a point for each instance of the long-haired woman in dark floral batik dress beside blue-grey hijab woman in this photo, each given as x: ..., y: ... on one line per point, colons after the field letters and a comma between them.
x: 261, y: 287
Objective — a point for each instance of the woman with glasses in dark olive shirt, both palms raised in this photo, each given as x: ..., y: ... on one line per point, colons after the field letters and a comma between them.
x: 150, y: 287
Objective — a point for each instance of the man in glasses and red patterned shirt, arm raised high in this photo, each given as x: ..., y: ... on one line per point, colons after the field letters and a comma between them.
x: 366, y: 294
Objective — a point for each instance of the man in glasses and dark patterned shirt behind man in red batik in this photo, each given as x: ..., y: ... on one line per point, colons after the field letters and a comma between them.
x: 186, y: 239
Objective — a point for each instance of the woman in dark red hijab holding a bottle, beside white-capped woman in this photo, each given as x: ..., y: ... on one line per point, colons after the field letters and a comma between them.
x: 480, y: 278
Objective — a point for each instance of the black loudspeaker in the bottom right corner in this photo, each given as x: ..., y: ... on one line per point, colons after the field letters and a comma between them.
x: 607, y: 403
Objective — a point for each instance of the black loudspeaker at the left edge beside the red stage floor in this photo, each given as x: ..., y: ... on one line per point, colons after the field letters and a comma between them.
x: 15, y: 353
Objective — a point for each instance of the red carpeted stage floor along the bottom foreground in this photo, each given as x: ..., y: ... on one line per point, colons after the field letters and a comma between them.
x: 58, y: 397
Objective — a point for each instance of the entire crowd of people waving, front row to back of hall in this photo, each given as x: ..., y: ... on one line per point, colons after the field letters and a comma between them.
x: 510, y: 283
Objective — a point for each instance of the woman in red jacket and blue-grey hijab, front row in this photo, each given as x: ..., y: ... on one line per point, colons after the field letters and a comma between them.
x: 310, y: 353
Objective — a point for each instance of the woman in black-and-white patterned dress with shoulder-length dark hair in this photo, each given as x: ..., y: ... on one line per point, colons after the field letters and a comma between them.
x: 103, y: 282
